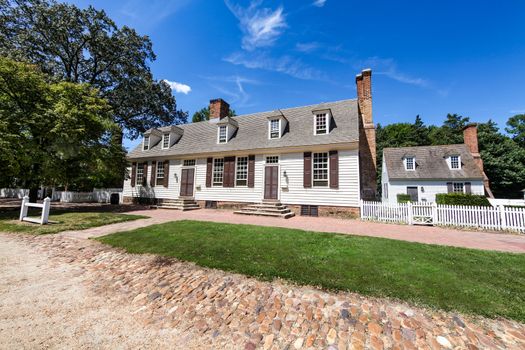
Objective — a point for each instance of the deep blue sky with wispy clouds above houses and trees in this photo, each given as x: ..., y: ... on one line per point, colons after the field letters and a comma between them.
x: 428, y: 57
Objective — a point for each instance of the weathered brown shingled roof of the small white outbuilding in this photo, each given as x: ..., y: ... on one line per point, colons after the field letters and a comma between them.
x: 431, y: 163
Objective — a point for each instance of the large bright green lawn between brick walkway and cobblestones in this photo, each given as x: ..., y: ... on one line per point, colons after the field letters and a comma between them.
x: 471, y: 281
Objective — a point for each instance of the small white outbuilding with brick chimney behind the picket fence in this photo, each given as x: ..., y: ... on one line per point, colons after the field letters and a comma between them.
x: 424, y: 171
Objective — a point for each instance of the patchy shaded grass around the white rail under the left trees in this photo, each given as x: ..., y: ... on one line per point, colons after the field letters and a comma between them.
x: 61, y: 221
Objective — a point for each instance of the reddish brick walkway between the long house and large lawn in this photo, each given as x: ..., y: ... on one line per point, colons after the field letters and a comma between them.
x: 423, y: 234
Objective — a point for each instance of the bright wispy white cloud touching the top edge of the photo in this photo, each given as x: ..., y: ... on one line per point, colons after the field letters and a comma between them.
x: 260, y: 26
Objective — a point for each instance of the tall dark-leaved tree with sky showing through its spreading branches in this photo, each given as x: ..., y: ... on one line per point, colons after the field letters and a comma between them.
x: 86, y: 46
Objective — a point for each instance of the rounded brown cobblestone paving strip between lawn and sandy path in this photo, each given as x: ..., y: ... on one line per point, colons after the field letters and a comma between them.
x: 224, y: 310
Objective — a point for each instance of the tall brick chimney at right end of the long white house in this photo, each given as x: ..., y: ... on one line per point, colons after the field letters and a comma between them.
x: 367, y: 136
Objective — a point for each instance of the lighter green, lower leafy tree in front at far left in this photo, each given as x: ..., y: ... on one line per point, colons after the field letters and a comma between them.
x: 54, y: 134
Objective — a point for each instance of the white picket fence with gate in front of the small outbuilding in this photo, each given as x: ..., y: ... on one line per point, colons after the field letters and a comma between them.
x: 491, y: 218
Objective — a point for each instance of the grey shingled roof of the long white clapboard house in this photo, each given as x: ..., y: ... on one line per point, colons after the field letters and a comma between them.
x: 252, y: 132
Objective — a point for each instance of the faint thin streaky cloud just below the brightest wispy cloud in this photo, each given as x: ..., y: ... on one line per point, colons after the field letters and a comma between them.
x: 284, y: 64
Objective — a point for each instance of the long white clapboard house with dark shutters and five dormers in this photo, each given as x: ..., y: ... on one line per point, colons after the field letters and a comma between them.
x: 317, y: 159
